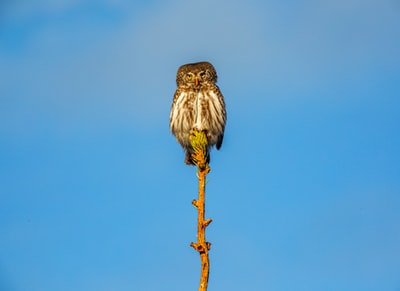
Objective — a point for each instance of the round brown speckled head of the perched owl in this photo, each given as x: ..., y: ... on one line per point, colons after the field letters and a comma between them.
x: 196, y: 74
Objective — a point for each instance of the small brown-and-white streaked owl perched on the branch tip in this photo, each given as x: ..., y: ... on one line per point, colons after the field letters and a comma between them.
x: 197, y: 105
